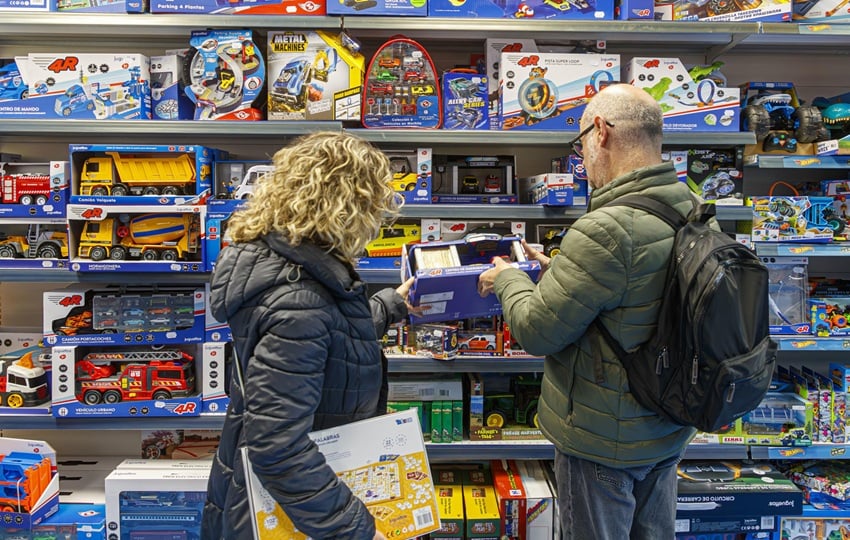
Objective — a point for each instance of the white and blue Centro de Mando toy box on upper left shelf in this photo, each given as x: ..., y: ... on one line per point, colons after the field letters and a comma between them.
x: 83, y: 86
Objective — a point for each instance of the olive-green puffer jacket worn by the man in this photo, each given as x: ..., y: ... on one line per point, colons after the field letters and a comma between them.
x: 613, y: 265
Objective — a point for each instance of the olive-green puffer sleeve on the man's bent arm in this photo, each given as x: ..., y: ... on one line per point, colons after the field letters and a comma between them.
x: 588, y: 276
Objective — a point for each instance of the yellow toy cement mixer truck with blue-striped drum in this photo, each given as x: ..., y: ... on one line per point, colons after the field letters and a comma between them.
x: 150, y: 237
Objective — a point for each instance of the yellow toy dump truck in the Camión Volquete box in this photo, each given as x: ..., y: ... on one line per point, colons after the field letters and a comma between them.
x: 114, y: 174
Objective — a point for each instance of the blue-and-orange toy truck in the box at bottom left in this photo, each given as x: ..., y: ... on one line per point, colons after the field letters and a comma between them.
x: 23, y: 479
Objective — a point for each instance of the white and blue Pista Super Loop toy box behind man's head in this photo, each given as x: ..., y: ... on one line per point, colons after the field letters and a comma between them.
x: 549, y: 91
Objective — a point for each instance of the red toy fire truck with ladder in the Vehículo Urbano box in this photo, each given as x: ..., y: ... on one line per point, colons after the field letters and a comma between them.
x: 162, y: 374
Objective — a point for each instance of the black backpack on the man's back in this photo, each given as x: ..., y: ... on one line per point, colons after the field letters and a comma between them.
x: 711, y: 358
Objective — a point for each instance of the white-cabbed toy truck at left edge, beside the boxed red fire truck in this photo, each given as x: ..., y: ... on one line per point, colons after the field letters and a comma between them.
x: 23, y: 381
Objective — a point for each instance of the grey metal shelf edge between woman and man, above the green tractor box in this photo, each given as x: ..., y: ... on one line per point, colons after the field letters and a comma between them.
x: 480, y: 364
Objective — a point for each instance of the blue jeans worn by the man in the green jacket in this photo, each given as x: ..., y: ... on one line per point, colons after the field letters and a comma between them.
x: 601, y: 503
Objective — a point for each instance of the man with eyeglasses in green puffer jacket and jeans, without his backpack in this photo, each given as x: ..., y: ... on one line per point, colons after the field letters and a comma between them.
x: 615, y: 461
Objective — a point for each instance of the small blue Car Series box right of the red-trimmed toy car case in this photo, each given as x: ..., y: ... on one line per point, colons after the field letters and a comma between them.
x: 465, y: 103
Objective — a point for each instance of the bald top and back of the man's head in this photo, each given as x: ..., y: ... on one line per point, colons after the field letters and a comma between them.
x: 635, y: 113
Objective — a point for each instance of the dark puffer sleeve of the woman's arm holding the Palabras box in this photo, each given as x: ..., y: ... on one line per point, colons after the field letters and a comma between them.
x: 283, y: 386
